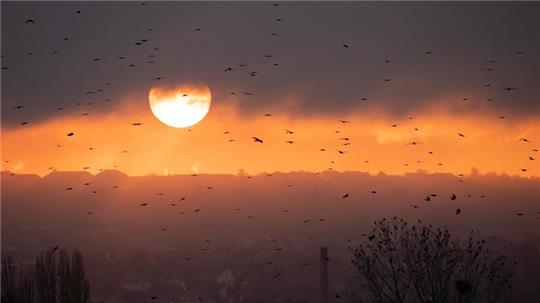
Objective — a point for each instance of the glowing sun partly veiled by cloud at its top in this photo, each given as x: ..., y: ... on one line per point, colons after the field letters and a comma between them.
x: 180, y: 106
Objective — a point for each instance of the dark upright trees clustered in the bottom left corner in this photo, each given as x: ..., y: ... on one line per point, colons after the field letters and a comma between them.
x: 55, y: 276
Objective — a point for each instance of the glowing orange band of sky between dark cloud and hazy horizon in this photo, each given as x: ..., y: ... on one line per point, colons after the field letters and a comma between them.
x: 490, y: 144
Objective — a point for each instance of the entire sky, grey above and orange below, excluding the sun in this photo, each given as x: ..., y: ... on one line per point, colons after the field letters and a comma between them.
x: 408, y: 78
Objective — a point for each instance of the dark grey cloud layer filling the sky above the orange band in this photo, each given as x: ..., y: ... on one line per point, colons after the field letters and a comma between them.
x: 315, y: 70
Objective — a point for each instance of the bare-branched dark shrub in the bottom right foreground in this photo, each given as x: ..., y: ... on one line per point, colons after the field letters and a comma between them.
x: 402, y: 263
